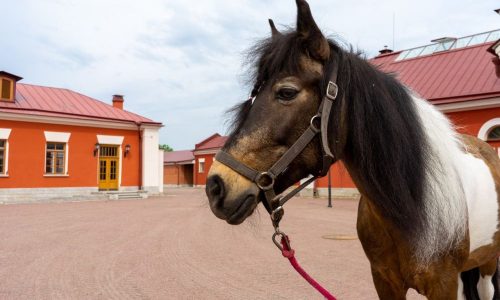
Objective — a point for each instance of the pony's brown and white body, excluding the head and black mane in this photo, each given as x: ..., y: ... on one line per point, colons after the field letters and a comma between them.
x: 477, y: 185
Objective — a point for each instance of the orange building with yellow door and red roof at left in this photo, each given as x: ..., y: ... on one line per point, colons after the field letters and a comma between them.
x: 56, y: 143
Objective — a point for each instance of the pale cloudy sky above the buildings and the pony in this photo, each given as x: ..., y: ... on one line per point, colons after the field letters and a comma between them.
x: 180, y: 62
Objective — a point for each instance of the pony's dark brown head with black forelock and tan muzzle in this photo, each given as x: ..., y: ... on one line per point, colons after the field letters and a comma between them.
x: 289, y: 78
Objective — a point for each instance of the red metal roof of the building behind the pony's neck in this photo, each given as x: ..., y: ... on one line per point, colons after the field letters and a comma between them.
x: 449, y: 76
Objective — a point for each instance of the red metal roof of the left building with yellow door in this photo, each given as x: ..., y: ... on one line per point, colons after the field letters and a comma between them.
x: 49, y: 101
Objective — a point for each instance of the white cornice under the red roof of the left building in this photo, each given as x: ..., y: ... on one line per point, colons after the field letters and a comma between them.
x: 72, y: 121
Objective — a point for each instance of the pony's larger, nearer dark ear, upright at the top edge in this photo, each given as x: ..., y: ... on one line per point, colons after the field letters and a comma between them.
x: 317, y: 45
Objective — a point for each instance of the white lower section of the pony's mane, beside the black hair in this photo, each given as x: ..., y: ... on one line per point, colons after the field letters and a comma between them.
x: 445, y: 203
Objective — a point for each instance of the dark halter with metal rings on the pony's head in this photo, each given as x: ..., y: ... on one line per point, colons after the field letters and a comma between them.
x: 265, y: 180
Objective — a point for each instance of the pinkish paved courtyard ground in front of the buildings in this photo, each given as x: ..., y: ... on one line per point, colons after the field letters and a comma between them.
x: 173, y: 247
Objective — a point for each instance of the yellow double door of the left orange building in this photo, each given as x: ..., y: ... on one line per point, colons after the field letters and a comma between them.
x: 108, y: 167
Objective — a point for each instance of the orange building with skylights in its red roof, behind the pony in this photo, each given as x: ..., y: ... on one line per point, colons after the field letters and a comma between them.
x: 460, y: 76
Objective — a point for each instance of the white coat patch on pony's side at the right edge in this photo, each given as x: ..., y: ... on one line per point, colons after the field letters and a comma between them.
x: 482, y: 201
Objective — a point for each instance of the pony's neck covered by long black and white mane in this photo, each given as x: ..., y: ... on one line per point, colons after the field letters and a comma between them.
x: 397, y: 150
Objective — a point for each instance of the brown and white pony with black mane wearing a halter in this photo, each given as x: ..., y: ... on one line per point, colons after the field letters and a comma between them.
x: 429, y: 210
